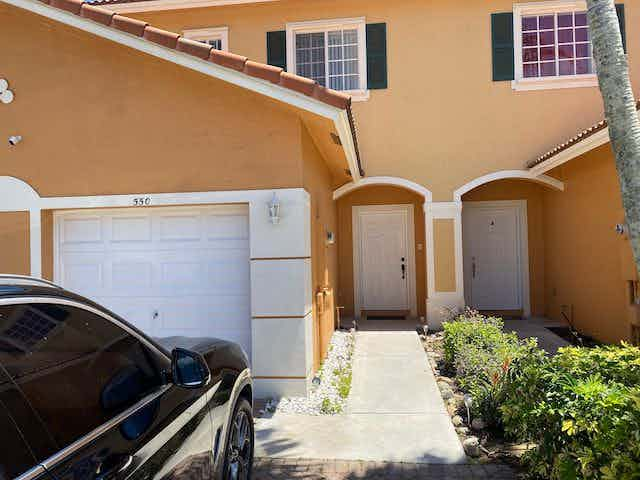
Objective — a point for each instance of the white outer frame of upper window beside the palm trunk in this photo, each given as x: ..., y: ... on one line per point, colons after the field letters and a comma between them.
x: 542, y: 83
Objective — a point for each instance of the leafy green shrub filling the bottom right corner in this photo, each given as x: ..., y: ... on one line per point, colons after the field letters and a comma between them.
x: 582, y: 409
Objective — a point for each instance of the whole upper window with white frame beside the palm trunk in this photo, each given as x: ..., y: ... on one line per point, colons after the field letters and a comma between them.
x: 552, y: 46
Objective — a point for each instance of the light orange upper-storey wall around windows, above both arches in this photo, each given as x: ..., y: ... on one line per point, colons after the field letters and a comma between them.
x: 442, y: 122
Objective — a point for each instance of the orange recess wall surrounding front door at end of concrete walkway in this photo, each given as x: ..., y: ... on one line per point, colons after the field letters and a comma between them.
x: 377, y: 195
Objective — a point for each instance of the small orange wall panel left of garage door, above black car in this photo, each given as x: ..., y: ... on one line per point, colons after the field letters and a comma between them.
x: 14, y: 243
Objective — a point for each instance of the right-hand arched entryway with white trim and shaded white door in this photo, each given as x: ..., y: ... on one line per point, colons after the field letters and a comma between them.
x: 503, y: 243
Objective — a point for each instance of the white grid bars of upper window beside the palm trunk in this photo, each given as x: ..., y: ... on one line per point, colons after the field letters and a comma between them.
x: 557, y: 45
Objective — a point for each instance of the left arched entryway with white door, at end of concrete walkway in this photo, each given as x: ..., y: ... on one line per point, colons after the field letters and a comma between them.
x: 382, y: 248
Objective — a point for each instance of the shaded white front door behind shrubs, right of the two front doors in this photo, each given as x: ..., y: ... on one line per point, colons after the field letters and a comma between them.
x: 495, y: 255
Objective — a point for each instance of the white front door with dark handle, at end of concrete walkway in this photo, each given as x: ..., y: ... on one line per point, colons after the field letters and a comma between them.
x: 384, y: 258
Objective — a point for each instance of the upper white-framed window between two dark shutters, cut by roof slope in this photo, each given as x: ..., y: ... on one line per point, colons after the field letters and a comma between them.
x: 332, y: 52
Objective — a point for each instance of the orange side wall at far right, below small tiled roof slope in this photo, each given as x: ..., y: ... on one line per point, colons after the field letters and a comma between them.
x: 587, y: 263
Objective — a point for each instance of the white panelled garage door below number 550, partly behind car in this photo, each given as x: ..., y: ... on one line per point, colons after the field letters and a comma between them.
x: 167, y: 270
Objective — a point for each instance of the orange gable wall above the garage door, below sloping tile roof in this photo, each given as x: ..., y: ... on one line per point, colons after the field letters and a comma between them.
x: 111, y: 120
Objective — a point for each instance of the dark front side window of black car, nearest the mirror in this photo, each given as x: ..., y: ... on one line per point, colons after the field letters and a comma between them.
x: 76, y: 369
